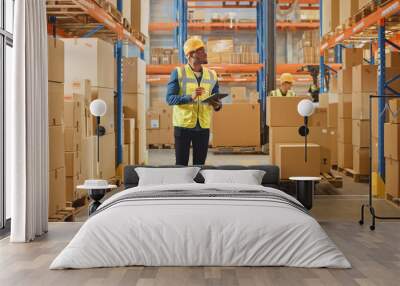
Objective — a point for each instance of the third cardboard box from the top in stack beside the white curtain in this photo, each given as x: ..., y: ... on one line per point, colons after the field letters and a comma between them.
x: 56, y: 147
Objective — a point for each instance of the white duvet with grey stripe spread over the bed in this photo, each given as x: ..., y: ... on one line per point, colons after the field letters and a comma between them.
x: 200, y: 232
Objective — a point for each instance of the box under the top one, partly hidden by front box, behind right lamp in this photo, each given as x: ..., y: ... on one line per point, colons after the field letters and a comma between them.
x: 279, y: 135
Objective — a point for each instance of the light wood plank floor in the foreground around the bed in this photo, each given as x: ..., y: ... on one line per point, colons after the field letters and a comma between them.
x: 375, y: 257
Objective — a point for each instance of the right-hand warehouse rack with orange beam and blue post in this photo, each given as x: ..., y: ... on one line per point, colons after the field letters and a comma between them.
x: 382, y: 27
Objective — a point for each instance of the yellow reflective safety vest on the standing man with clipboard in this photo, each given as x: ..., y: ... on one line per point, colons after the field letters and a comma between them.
x: 186, y: 115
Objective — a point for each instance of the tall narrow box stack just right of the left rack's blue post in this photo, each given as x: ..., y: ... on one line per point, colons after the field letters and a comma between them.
x: 136, y: 102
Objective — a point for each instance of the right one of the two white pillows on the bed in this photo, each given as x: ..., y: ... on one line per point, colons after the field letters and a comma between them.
x: 248, y: 177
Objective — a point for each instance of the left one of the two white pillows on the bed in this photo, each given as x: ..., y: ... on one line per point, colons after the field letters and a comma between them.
x: 166, y: 176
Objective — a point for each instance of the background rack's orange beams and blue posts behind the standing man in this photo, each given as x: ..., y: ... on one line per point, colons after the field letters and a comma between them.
x: 264, y: 33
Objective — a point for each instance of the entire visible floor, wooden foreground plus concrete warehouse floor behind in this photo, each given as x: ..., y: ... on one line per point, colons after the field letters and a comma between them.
x: 375, y: 256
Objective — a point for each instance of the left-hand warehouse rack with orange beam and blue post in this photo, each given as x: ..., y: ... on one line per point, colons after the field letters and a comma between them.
x: 87, y: 18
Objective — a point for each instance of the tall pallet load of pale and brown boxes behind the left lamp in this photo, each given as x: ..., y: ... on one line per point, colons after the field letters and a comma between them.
x: 89, y: 74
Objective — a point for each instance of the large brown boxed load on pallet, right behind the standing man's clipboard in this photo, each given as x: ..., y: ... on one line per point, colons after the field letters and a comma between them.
x: 241, y: 116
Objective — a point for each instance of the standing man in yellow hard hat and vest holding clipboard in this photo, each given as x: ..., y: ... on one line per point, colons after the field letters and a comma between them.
x: 188, y: 86
